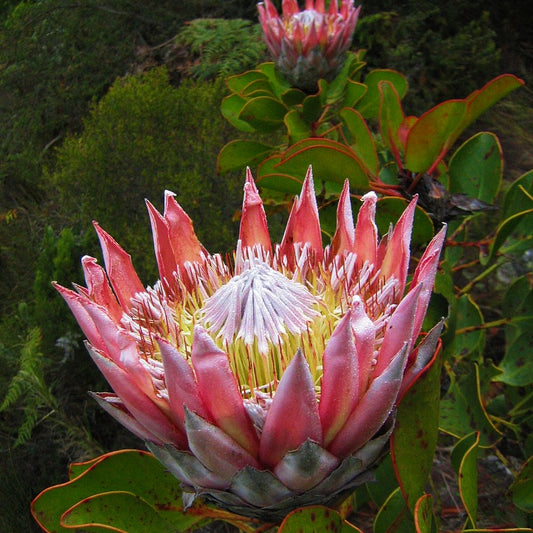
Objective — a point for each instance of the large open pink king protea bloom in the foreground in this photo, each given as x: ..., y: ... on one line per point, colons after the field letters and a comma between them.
x: 269, y: 381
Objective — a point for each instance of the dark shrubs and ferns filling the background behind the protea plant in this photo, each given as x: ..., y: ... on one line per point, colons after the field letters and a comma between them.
x: 105, y: 103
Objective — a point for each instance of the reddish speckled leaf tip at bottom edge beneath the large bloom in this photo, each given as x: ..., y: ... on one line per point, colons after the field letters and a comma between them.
x: 315, y: 519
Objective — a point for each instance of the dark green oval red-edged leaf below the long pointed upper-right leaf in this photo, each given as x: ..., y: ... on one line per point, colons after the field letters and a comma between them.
x: 476, y: 167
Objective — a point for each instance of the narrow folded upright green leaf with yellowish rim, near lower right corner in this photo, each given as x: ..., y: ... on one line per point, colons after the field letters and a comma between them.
x: 464, y: 462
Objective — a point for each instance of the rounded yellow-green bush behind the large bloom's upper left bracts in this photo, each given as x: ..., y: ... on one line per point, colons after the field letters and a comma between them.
x: 143, y: 137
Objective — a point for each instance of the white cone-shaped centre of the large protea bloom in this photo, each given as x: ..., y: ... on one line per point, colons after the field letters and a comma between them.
x: 260, y: 304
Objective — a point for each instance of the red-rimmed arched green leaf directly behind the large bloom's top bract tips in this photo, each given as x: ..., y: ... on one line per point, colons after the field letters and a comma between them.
x: 332, y: 163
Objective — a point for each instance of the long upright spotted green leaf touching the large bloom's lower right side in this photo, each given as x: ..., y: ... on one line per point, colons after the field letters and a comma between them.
x: 414, y: 438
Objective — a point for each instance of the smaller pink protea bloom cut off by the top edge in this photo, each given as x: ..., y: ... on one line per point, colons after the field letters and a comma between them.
x: 311, y: 44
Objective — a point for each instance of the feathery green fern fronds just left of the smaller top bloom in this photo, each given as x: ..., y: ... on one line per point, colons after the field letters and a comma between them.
x: 219, y: 47
